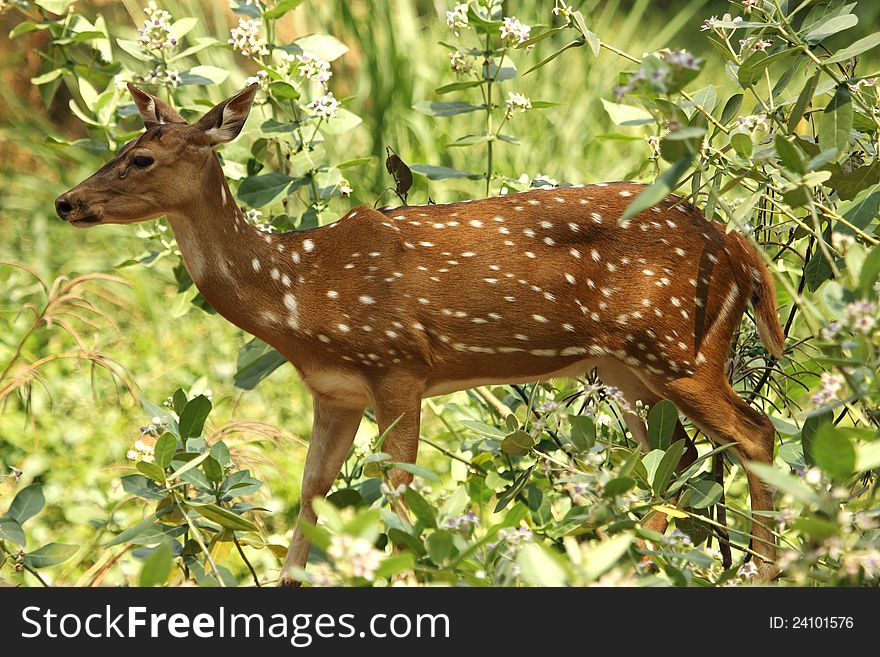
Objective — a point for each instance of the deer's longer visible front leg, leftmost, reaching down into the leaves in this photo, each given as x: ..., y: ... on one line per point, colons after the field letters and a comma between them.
x: 333, y: 431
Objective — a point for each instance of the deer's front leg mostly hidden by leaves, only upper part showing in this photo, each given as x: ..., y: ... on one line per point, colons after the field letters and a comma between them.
x: 398, y: 409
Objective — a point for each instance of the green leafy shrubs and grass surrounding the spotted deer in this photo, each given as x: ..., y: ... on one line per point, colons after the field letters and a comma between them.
x: 771, y: 128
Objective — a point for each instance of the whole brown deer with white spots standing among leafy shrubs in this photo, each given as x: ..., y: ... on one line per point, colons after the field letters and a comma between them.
x: 384, y: 308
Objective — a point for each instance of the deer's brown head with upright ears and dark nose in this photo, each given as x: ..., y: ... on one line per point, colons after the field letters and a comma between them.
x: 155, y: 174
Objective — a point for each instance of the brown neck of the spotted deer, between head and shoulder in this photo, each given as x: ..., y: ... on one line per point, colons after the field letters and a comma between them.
x: 248, y: 276
